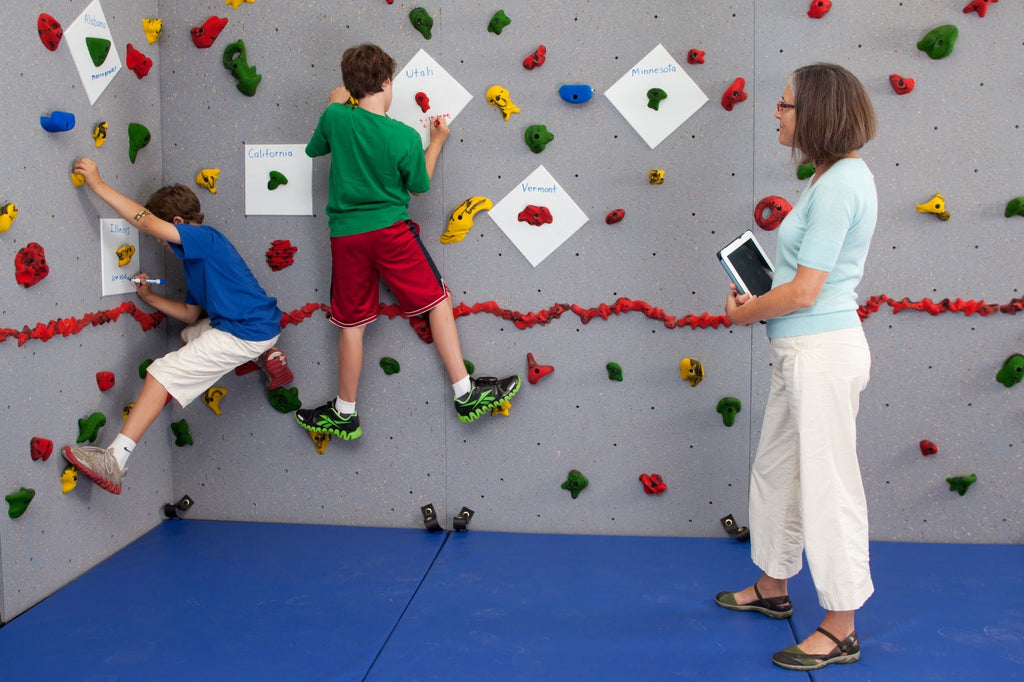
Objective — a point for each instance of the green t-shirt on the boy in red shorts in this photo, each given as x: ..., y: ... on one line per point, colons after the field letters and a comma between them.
x: 376, y: 162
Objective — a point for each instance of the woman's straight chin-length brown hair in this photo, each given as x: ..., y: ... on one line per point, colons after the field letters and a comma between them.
x: 835, y: 115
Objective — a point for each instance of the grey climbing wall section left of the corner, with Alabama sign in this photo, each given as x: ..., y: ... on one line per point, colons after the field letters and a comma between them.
x: 59, y: 332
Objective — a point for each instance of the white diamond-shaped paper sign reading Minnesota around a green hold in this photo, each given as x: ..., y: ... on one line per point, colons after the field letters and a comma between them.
x: 658, y: 70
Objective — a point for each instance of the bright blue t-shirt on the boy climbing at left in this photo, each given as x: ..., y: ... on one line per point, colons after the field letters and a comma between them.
x: 222, y: 284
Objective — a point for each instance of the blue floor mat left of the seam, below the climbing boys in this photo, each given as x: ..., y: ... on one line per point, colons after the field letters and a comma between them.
x: 208, y: 601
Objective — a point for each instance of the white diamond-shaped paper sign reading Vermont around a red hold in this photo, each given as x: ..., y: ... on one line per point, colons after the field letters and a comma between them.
x: 538, y: 242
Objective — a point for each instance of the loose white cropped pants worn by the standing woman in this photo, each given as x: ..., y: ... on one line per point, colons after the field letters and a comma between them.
x: 806, y: 491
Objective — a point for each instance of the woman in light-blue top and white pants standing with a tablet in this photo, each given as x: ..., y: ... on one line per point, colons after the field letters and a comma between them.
x: 806, y: 491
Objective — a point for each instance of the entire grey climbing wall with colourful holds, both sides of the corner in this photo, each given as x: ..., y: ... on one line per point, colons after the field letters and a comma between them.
x: 942, y: 297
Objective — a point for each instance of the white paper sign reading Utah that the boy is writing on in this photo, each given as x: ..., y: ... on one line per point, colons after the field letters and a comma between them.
x: 423, y: 75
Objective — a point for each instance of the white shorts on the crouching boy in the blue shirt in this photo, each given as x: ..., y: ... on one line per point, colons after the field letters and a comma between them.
x: 207, y: 356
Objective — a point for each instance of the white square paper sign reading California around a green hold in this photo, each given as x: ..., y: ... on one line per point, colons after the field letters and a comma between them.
x: 292, y: 198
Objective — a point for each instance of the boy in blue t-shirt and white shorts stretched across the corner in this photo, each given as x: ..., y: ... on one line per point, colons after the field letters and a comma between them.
x: 242, y: 323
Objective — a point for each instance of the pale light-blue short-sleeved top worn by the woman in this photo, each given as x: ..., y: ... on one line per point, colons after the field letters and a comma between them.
x: 829, y: 230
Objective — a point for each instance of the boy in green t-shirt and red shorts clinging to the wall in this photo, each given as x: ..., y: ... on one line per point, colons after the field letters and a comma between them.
x: 376, y: 163
